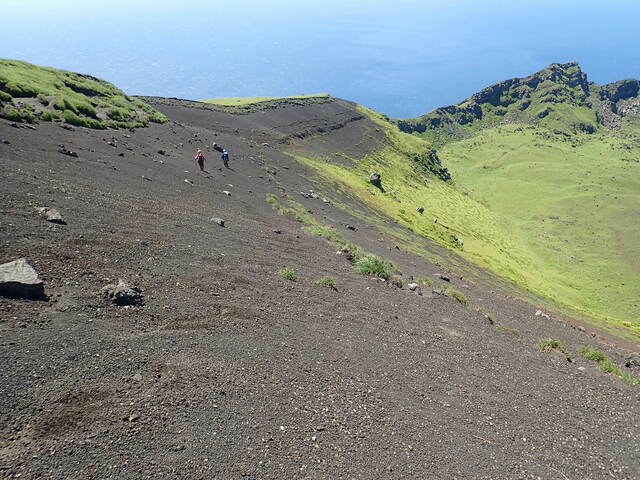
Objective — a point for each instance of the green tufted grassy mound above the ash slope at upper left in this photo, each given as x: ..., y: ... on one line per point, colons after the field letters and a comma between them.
x: 30, y: 93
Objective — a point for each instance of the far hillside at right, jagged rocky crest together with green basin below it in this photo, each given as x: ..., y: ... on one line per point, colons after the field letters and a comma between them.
x: 558, y: 157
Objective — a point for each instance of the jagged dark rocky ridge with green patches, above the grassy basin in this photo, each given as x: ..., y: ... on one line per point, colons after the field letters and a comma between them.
x: 559, y: 96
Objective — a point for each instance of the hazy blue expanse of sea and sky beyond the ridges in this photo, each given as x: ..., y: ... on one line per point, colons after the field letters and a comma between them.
x: 401, y: 57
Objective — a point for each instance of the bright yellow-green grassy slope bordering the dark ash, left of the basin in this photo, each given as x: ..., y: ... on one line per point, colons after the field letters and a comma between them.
x: 463, y: 224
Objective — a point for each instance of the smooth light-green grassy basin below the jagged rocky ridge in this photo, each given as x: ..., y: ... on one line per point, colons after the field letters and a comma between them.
x: 574, y: 202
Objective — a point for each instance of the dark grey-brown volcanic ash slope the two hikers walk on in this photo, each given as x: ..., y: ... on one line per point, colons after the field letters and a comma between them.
x: 229, y: 370
